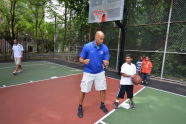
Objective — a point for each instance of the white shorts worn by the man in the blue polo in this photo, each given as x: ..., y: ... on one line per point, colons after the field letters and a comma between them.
x: 88, y: 79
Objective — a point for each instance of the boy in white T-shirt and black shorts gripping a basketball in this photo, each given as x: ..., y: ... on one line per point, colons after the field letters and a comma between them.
x: 128, y: 70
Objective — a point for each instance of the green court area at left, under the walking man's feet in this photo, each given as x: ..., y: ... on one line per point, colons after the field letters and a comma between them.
x: 33, y: 71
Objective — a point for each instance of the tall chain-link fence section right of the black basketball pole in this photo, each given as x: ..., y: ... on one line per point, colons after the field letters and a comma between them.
x: 148, y: 31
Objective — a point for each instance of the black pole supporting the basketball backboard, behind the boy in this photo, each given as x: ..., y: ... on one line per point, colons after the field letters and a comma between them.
x: 122, y: 26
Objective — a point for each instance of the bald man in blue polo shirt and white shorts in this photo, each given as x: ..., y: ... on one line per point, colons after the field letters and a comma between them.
x: 94, y: 56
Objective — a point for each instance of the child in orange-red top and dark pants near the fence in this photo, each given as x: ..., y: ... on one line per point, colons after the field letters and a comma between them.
x: 146, y: 68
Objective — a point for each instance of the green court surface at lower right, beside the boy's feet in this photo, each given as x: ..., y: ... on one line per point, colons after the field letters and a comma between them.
x: 152, y: 107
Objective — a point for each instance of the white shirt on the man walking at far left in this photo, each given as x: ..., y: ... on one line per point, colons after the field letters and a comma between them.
x: 17, y: 49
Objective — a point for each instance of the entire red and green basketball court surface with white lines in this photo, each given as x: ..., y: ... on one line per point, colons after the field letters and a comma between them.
x: 48, y: 93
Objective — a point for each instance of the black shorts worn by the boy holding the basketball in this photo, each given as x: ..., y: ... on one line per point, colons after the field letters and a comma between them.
x: 125, y: 88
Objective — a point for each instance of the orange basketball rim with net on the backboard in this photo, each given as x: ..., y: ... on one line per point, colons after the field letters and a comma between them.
x: 100, y: 15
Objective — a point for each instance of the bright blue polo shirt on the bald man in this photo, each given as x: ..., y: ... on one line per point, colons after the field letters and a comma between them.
x: 96, y: 54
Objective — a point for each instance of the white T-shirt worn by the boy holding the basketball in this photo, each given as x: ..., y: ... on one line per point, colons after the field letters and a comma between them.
x: 129, y: 69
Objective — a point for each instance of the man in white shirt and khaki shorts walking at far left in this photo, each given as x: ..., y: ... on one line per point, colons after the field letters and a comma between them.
x: 17, y: 54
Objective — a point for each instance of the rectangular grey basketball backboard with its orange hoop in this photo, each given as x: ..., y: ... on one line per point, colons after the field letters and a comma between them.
x: 105, y: 10
